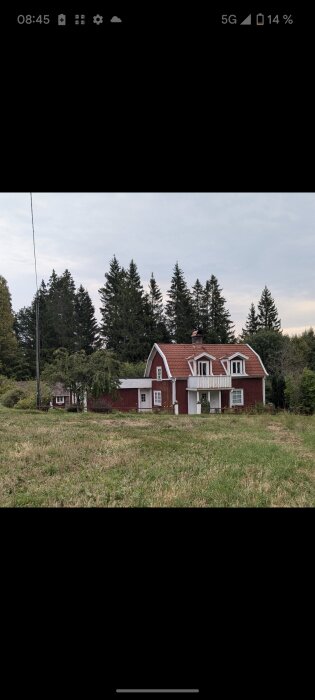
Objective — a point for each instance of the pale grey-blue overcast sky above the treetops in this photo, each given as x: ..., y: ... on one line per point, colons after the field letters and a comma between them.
x: 246, y: 240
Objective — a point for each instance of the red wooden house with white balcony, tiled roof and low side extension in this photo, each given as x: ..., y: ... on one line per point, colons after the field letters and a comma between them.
x: 186, y: 375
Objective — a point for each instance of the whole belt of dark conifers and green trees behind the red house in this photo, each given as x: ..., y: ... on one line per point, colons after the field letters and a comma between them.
x: 73, y: 344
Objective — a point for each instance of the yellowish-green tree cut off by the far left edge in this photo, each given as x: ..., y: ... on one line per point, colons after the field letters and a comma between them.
x: 8, y: 341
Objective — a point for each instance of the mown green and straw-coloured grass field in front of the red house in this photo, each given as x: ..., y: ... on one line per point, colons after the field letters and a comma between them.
x: 65, y: 459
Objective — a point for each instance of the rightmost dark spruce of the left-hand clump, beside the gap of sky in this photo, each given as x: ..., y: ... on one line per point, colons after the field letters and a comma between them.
x: 86, y: 329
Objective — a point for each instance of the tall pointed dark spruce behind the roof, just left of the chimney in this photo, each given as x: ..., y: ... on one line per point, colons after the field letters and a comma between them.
x: 179, y: 309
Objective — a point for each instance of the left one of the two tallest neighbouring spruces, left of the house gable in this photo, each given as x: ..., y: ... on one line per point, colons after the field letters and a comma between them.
x: 113, y: 299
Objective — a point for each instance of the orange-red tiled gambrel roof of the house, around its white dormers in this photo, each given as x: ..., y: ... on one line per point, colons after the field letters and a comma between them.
x: 177, y: 355
